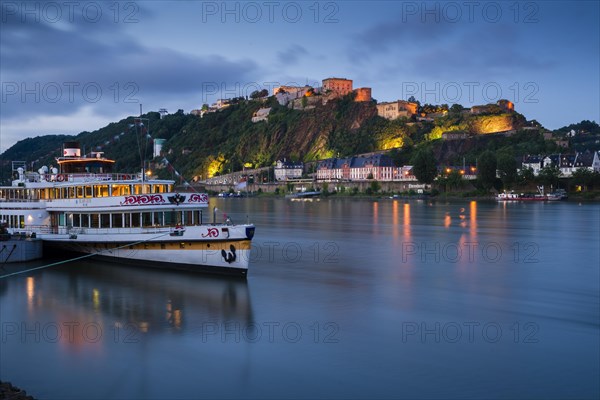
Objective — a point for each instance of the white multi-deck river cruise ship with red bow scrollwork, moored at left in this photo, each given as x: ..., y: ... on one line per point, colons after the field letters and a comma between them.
x: 83, y: 207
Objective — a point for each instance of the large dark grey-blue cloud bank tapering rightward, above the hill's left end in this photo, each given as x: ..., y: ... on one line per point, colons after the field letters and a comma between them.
x: 56, y: 67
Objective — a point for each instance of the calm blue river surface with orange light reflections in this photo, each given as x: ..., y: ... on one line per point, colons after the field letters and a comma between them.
x: 345, y: 299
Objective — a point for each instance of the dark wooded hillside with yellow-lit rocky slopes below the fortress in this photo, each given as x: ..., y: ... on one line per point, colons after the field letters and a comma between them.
x: 226, y: 140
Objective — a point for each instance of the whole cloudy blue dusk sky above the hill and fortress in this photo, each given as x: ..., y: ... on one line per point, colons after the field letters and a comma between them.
x: 68, y: 66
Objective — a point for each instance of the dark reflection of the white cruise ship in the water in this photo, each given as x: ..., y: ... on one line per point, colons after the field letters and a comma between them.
x: 108, y: 297
